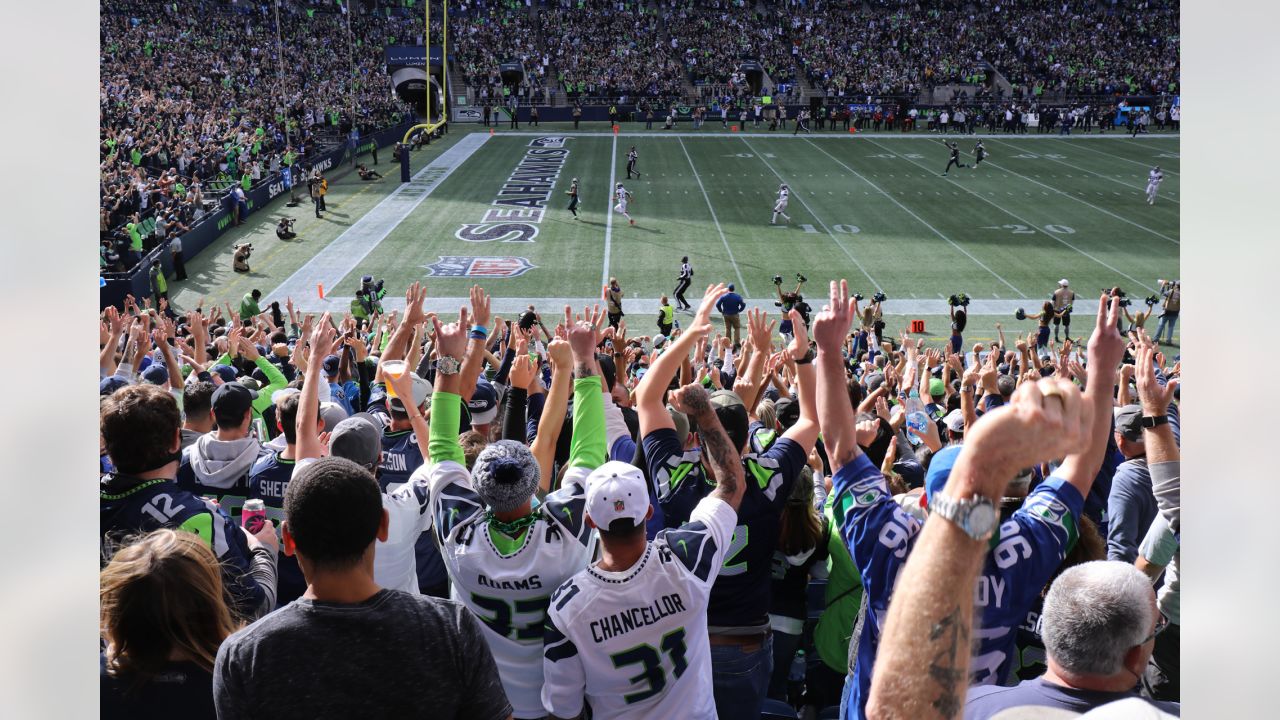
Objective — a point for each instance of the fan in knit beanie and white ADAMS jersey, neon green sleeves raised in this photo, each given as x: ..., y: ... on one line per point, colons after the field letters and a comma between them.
x: 505, y: 557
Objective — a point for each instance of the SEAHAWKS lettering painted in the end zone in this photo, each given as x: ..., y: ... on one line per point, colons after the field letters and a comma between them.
x: 522, y: 202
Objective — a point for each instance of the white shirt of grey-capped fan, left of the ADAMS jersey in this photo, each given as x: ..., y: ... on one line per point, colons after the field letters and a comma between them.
x: 408, y: 508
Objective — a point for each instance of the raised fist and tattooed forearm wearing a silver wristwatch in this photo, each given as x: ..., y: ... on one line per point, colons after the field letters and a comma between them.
x: 922, y: 669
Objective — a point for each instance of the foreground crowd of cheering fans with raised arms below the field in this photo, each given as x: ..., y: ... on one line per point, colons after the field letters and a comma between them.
x: 578, y: 490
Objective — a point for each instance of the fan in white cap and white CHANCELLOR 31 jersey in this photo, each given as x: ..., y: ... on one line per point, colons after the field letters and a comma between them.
x: 629, y: 635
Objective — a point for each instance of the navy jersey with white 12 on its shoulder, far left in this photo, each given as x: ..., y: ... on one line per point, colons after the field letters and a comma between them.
x: 129, y: 507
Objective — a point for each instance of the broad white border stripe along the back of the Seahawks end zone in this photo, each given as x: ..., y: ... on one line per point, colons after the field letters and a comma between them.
x: 331, y: 265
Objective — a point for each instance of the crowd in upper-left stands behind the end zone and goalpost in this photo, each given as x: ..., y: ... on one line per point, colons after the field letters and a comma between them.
x: 194, y: 103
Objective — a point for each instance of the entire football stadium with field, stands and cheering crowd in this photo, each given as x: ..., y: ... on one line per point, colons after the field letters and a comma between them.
x: 780, y: 359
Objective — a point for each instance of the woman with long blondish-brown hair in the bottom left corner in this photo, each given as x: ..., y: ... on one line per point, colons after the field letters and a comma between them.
x: 163, y: 617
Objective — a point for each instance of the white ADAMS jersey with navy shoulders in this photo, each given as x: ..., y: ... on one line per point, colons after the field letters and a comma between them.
x: 508, y: 584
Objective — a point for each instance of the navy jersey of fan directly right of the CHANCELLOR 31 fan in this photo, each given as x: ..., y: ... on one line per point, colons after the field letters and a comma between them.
x: 740, y: 598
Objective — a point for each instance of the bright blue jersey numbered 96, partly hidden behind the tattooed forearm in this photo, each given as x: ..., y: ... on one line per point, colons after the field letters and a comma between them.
x: 1026, y: 553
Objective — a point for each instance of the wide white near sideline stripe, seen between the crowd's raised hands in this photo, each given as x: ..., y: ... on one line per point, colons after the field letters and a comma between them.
x: 449, y: 307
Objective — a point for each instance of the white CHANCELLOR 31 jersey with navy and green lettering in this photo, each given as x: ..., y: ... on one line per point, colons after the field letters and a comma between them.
x: 634, y: 644
